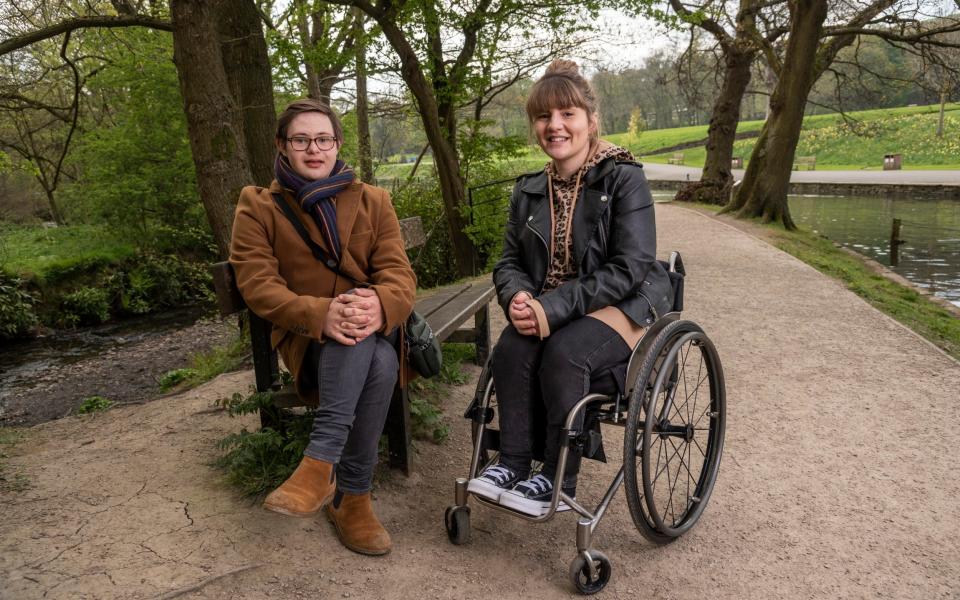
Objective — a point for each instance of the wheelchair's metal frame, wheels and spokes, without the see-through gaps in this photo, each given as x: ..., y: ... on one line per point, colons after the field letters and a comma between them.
x: 590, y: 570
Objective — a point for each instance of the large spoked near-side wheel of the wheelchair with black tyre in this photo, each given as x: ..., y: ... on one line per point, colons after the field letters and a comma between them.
x: 673, y: 437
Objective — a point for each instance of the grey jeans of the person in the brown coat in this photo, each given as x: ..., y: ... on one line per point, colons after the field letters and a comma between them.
x: 356, y: 385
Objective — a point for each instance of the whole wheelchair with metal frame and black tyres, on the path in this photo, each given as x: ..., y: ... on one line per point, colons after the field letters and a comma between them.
x: 673, y: 410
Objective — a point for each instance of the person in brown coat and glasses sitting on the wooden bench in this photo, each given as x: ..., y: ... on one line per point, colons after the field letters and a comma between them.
x: 298, y: 249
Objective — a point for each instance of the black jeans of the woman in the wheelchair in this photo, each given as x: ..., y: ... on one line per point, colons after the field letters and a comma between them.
x: 534, y: 377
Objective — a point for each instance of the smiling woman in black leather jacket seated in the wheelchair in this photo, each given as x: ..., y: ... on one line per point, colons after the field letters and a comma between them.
x: 578, y: 281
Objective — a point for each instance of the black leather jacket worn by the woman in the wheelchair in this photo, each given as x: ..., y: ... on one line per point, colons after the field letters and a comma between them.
x: 614, y: 246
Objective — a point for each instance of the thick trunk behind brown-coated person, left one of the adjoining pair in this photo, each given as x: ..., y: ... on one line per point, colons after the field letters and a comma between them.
x: 214, y: 120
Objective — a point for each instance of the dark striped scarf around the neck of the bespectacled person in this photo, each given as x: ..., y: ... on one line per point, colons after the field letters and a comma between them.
x: 316, y: 196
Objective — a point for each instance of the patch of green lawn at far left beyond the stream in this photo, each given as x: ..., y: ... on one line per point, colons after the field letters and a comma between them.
x: 36, y: 251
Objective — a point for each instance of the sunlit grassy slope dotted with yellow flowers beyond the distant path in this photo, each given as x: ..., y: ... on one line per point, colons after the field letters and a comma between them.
x: 837, y: 146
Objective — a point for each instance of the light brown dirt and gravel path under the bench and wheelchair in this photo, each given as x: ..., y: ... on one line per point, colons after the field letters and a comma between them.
x: 838, y: 477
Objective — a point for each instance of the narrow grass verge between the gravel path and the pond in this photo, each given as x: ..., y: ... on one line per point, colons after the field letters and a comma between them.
x: 904, y: 304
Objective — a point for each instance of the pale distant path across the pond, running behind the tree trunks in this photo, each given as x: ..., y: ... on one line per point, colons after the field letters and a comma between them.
x: 656, y: 171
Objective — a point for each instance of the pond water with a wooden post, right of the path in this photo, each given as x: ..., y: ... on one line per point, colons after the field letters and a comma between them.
x: 930, y: 255
